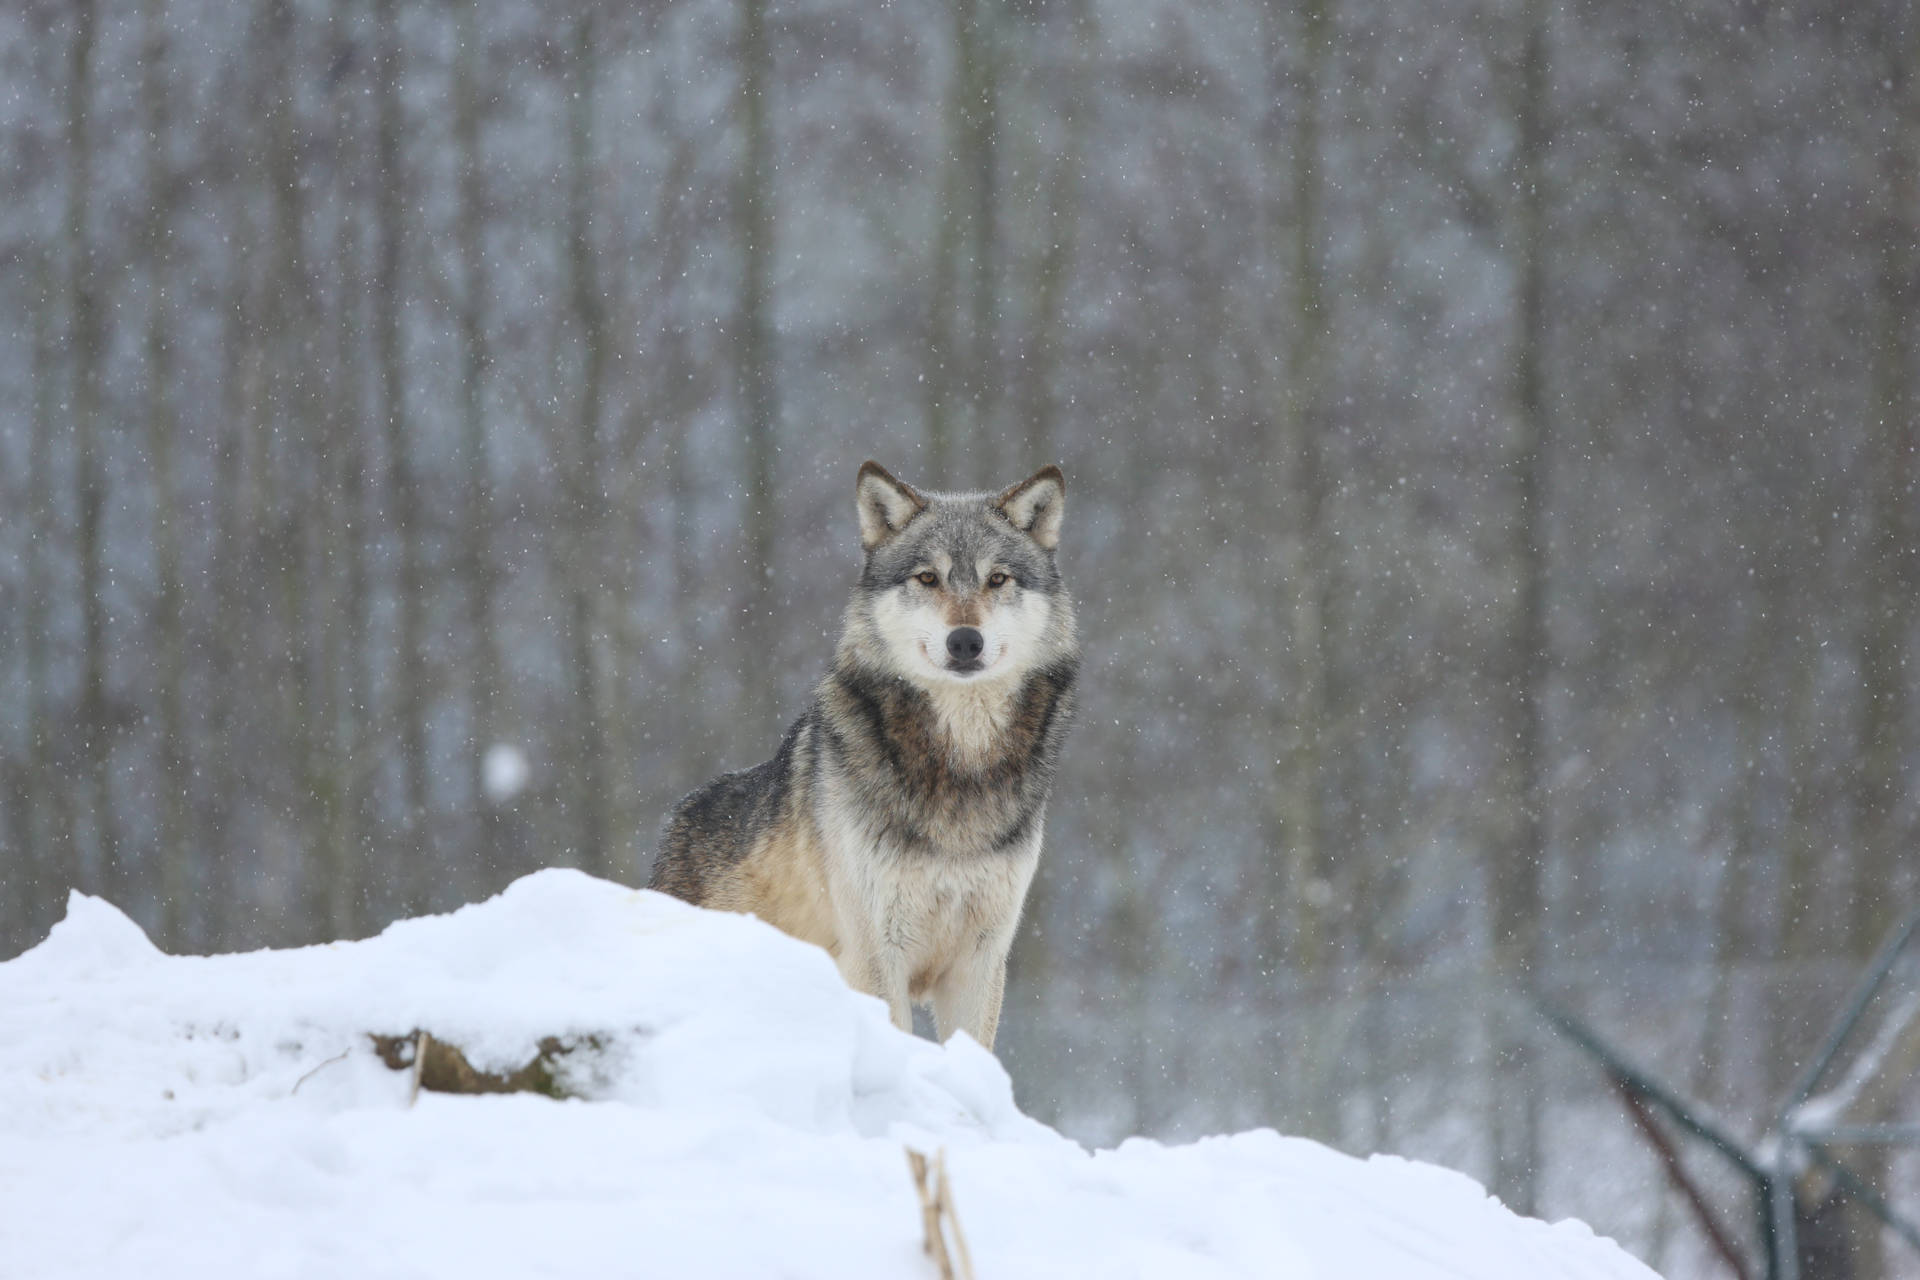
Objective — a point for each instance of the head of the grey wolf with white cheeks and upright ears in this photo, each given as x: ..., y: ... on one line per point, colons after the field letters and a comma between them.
x: 961, y: 588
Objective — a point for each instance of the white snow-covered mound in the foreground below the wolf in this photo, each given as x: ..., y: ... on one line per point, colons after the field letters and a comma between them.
x: 738, y: 1112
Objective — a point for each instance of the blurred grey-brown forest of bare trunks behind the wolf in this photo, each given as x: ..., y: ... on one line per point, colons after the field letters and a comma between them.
x: 1491, y: 448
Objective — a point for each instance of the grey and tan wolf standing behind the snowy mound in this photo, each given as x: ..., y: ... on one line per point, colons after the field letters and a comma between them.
x: 900, y: 822
